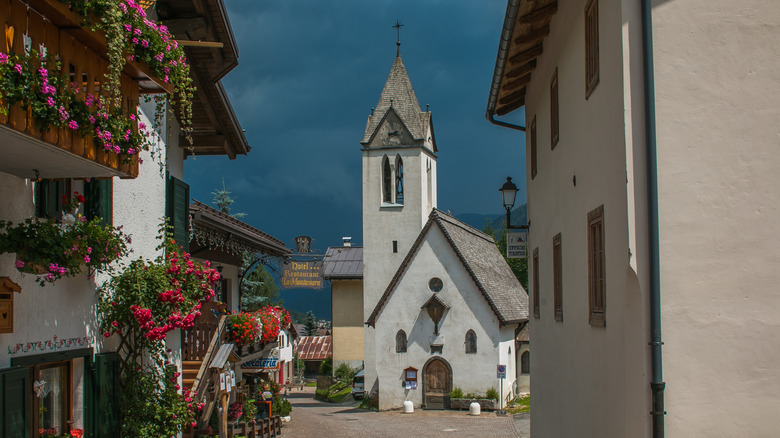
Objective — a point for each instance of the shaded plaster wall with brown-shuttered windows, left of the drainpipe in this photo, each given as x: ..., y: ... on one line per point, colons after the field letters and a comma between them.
x: 573, y: 361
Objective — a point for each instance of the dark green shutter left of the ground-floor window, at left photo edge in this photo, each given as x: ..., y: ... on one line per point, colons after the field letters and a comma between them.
x: 15, y: 403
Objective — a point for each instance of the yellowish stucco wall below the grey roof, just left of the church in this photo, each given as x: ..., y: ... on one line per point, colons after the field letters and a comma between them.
x: 347, y: 337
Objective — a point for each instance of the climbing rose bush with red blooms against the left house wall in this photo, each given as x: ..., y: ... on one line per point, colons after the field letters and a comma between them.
x: 141, y: 305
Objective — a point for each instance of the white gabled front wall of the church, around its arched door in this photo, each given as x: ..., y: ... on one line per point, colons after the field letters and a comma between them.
x: 468, y: 310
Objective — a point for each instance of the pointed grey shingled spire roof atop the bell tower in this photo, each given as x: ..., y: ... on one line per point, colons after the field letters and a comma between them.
x: 399, y: 94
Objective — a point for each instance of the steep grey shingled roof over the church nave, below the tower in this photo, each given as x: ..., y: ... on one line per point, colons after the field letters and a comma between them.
x: 481, y: 258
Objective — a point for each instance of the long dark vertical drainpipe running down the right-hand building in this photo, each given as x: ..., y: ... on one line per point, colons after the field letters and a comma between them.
x: 657, y: 383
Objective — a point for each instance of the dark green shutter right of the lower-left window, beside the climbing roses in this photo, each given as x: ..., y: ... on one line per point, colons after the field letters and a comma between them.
x: 106, y: 396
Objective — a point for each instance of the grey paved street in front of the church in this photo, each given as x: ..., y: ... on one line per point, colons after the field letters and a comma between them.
x: 313, y: 418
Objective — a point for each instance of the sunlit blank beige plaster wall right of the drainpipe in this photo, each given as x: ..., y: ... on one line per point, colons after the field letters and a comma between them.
x: 718, y: 106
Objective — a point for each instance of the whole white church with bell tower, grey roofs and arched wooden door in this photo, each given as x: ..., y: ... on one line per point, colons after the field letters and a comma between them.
x: 441, y: 307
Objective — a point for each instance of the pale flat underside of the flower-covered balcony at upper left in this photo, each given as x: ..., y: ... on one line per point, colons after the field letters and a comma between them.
x: 22, y: 155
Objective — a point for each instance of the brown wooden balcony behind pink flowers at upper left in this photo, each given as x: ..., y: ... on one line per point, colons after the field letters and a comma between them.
x: 59, y: 153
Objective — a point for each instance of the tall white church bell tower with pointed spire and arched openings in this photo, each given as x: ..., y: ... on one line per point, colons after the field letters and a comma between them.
x: 399, y: 190
